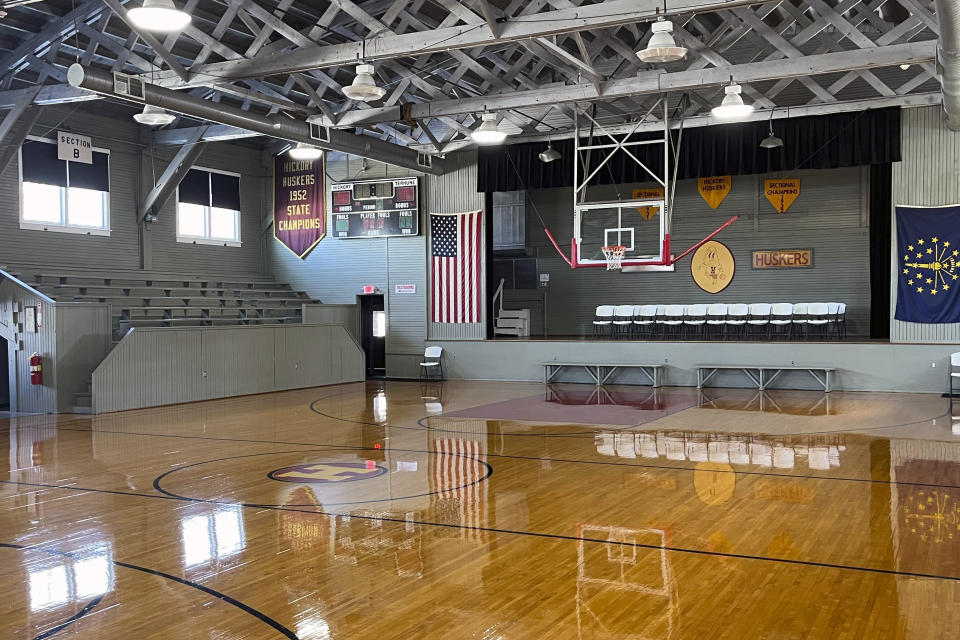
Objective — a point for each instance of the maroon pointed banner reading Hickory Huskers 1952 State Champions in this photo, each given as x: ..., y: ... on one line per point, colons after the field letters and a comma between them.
x: 299, y: 216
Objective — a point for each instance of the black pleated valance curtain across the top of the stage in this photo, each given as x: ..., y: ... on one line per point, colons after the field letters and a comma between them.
x: 812, y: 142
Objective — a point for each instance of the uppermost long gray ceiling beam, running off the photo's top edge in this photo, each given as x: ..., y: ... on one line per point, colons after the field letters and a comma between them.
x: 612, y: 13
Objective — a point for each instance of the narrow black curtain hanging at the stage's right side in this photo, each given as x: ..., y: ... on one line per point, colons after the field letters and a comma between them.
x: 880, y: 214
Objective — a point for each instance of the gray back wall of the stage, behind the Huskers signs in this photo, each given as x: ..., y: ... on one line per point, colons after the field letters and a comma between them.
x: 829, y: 216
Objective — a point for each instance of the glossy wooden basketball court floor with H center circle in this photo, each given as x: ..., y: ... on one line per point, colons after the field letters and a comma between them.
x: 488, y: 511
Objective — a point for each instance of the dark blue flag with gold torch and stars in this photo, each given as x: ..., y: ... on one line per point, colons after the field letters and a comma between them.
x: 928, y: 264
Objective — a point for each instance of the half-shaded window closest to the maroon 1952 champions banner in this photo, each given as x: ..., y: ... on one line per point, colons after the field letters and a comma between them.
x: 208, y: 208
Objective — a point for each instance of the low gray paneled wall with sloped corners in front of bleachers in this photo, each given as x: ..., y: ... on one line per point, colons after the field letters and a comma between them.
x: 153, y: 367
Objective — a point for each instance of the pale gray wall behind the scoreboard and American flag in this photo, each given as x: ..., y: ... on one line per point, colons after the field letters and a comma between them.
x: 336, y: 270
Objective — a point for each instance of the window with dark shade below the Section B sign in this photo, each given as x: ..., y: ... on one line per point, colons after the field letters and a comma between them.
x: 62, y: 195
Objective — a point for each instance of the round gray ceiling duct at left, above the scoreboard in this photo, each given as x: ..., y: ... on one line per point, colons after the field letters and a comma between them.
x: 102, y: 82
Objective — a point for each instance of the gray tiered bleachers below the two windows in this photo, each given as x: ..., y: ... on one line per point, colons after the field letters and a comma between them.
x: 171, y: 300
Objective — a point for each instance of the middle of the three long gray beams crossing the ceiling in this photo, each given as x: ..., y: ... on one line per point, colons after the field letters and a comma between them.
x: 656, y: 82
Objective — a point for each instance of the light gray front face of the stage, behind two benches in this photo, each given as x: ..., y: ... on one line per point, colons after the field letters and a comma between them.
x: 860, y: 366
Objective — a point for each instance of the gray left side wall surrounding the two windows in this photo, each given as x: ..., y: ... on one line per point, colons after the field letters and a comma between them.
x: 130, y: 178
